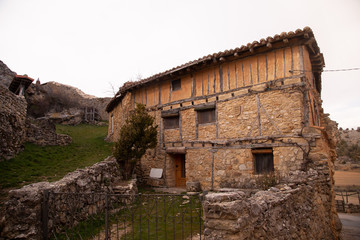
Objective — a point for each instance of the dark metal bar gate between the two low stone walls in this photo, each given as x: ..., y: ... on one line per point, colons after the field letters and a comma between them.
x: 121, y: 216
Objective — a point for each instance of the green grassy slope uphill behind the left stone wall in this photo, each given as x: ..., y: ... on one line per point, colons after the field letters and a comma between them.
x: 51, y: 163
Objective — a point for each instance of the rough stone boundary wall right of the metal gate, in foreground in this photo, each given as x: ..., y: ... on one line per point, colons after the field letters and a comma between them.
x: 291, y: 211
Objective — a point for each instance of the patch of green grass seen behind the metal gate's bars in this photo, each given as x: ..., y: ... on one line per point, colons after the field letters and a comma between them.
x: 145, y: 219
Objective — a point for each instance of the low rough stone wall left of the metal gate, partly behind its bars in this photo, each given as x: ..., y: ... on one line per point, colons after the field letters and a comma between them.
x: 22, y: 218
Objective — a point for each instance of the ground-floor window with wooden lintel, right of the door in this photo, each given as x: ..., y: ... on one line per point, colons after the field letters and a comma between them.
x: 264, y: 160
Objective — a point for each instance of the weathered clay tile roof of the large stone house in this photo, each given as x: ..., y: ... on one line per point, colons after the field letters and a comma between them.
x: 250, y: 47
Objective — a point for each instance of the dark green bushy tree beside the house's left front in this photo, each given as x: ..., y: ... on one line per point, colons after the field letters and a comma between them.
x: 136, y: 136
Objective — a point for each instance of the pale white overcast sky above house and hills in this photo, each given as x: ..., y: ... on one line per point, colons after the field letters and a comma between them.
x: 92, y: 45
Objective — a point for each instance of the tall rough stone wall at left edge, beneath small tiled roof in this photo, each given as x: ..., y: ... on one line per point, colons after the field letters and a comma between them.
x: 12, y: 123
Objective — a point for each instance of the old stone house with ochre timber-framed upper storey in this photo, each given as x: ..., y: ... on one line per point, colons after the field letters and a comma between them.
x: 232, y: 115
